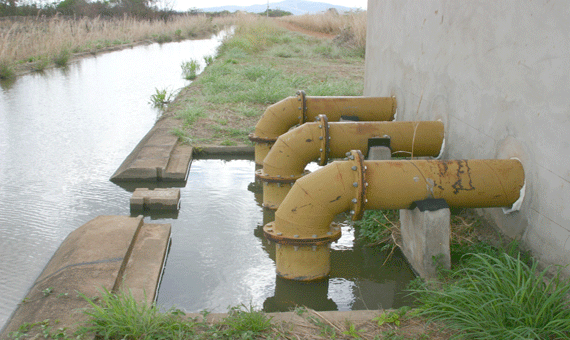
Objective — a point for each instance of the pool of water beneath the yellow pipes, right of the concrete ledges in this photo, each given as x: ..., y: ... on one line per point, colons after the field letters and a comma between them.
x: 220, y: 258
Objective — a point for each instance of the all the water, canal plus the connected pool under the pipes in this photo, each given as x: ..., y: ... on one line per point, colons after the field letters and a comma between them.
x: 64, y: 132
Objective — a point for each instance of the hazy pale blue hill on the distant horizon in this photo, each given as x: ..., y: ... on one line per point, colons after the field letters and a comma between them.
x: 297, y: 7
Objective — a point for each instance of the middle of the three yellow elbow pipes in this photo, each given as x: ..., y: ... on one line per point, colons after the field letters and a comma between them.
x: 286, y: 161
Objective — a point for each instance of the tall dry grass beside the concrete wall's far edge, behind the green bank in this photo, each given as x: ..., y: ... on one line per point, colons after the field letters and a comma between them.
x: 350, y: 27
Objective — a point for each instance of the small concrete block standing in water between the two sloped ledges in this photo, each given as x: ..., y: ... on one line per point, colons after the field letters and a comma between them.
x: 157, y: 199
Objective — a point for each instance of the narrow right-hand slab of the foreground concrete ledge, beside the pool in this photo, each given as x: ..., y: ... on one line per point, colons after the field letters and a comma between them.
x: 144, y: 268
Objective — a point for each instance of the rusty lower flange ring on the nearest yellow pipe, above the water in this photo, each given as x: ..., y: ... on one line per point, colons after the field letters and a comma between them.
x: 274, y: 235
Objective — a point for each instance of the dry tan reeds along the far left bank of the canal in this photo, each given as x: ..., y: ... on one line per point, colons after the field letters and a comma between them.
x: 36, y: 43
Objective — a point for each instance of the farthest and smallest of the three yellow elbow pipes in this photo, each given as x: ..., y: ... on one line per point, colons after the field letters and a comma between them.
x: 285, y: 114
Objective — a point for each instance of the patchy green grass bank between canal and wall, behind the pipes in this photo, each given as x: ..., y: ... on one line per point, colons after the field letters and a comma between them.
x: 261, y: 64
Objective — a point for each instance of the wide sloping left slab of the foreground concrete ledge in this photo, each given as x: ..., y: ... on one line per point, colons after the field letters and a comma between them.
x: 89, y: 259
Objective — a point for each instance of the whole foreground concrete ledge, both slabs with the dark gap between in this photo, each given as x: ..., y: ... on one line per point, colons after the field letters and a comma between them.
x: 108, y: 252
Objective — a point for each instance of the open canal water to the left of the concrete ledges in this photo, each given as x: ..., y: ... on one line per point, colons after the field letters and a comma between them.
x: 63, y: 133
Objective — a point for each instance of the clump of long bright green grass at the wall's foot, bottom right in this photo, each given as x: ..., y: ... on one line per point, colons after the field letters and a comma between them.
x: 497, y: 295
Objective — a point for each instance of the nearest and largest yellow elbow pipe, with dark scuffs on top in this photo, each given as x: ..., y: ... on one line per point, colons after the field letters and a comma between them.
x: 303, y: 227
